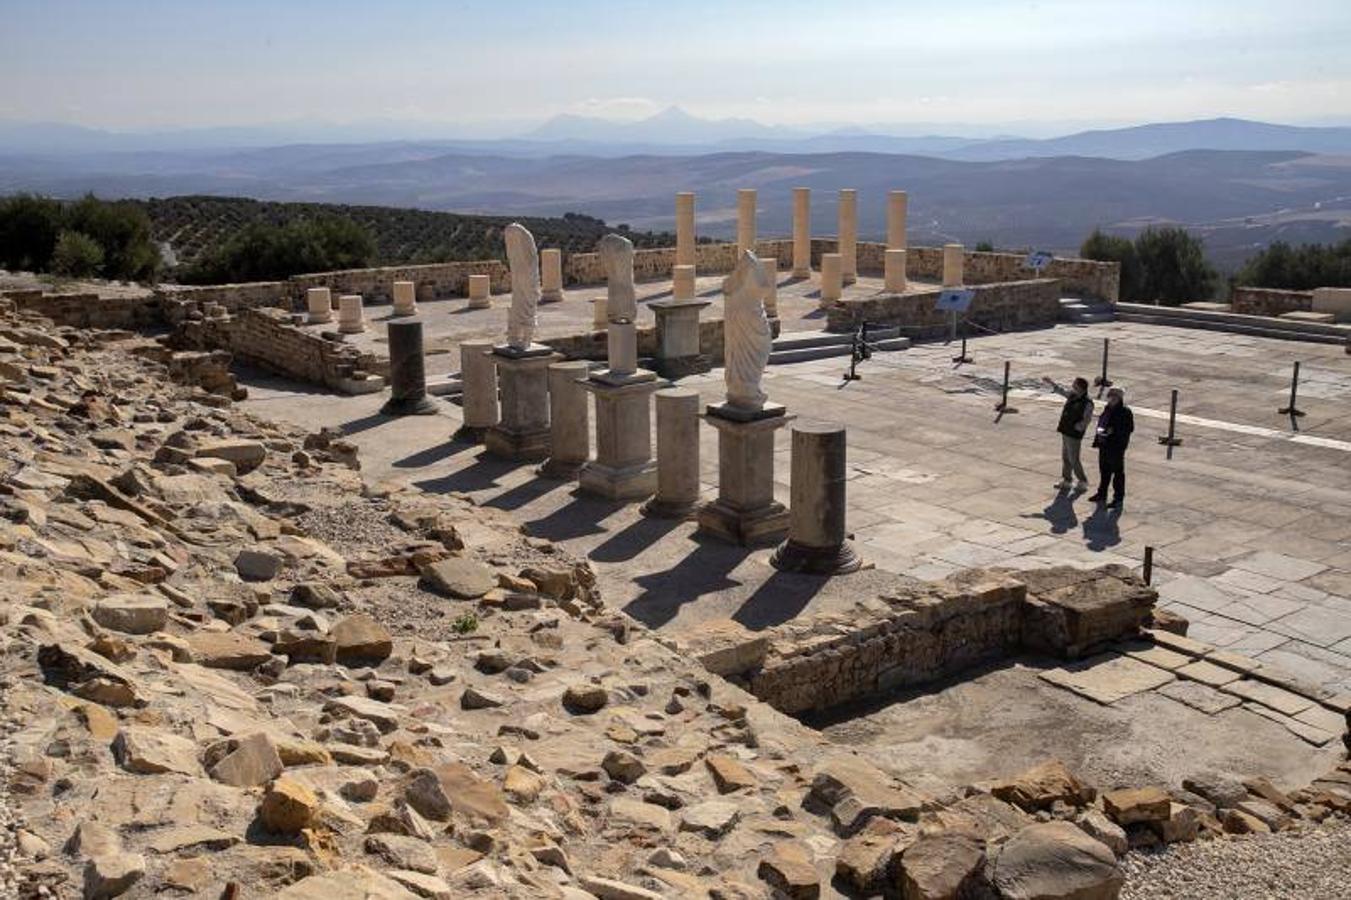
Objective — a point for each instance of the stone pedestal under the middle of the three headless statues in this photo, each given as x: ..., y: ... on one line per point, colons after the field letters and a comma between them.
x: 623, y: 468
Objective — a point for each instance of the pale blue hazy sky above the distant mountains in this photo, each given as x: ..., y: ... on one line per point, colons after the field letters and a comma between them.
x: 129, y: 64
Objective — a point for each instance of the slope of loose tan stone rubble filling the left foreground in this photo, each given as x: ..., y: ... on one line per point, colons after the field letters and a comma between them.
x: 233, y: 670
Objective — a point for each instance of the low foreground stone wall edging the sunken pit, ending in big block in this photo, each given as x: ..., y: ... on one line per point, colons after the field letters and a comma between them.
x: 925, y: 633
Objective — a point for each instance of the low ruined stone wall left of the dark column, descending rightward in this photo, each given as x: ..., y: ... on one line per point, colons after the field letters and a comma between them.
x: 268, y: 340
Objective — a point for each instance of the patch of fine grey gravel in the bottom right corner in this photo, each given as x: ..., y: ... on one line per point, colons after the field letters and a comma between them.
x: 1310, y: 864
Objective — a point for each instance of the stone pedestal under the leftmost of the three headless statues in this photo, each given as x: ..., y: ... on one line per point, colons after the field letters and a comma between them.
x: 522, y: 433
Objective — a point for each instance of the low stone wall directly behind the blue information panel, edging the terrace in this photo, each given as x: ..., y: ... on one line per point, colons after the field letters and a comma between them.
x: 996, y: 307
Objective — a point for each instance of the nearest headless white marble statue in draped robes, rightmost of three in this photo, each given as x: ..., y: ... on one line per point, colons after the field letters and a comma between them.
x: 748, y: 336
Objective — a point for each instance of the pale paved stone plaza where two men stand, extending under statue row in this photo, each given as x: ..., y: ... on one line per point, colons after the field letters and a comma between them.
x: 1250, y: 520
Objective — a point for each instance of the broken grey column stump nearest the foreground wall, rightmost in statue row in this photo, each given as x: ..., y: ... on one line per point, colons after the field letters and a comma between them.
x: 817, y: 543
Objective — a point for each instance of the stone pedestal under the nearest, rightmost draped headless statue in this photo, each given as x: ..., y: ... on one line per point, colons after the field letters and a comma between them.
x: 745, y: 511
